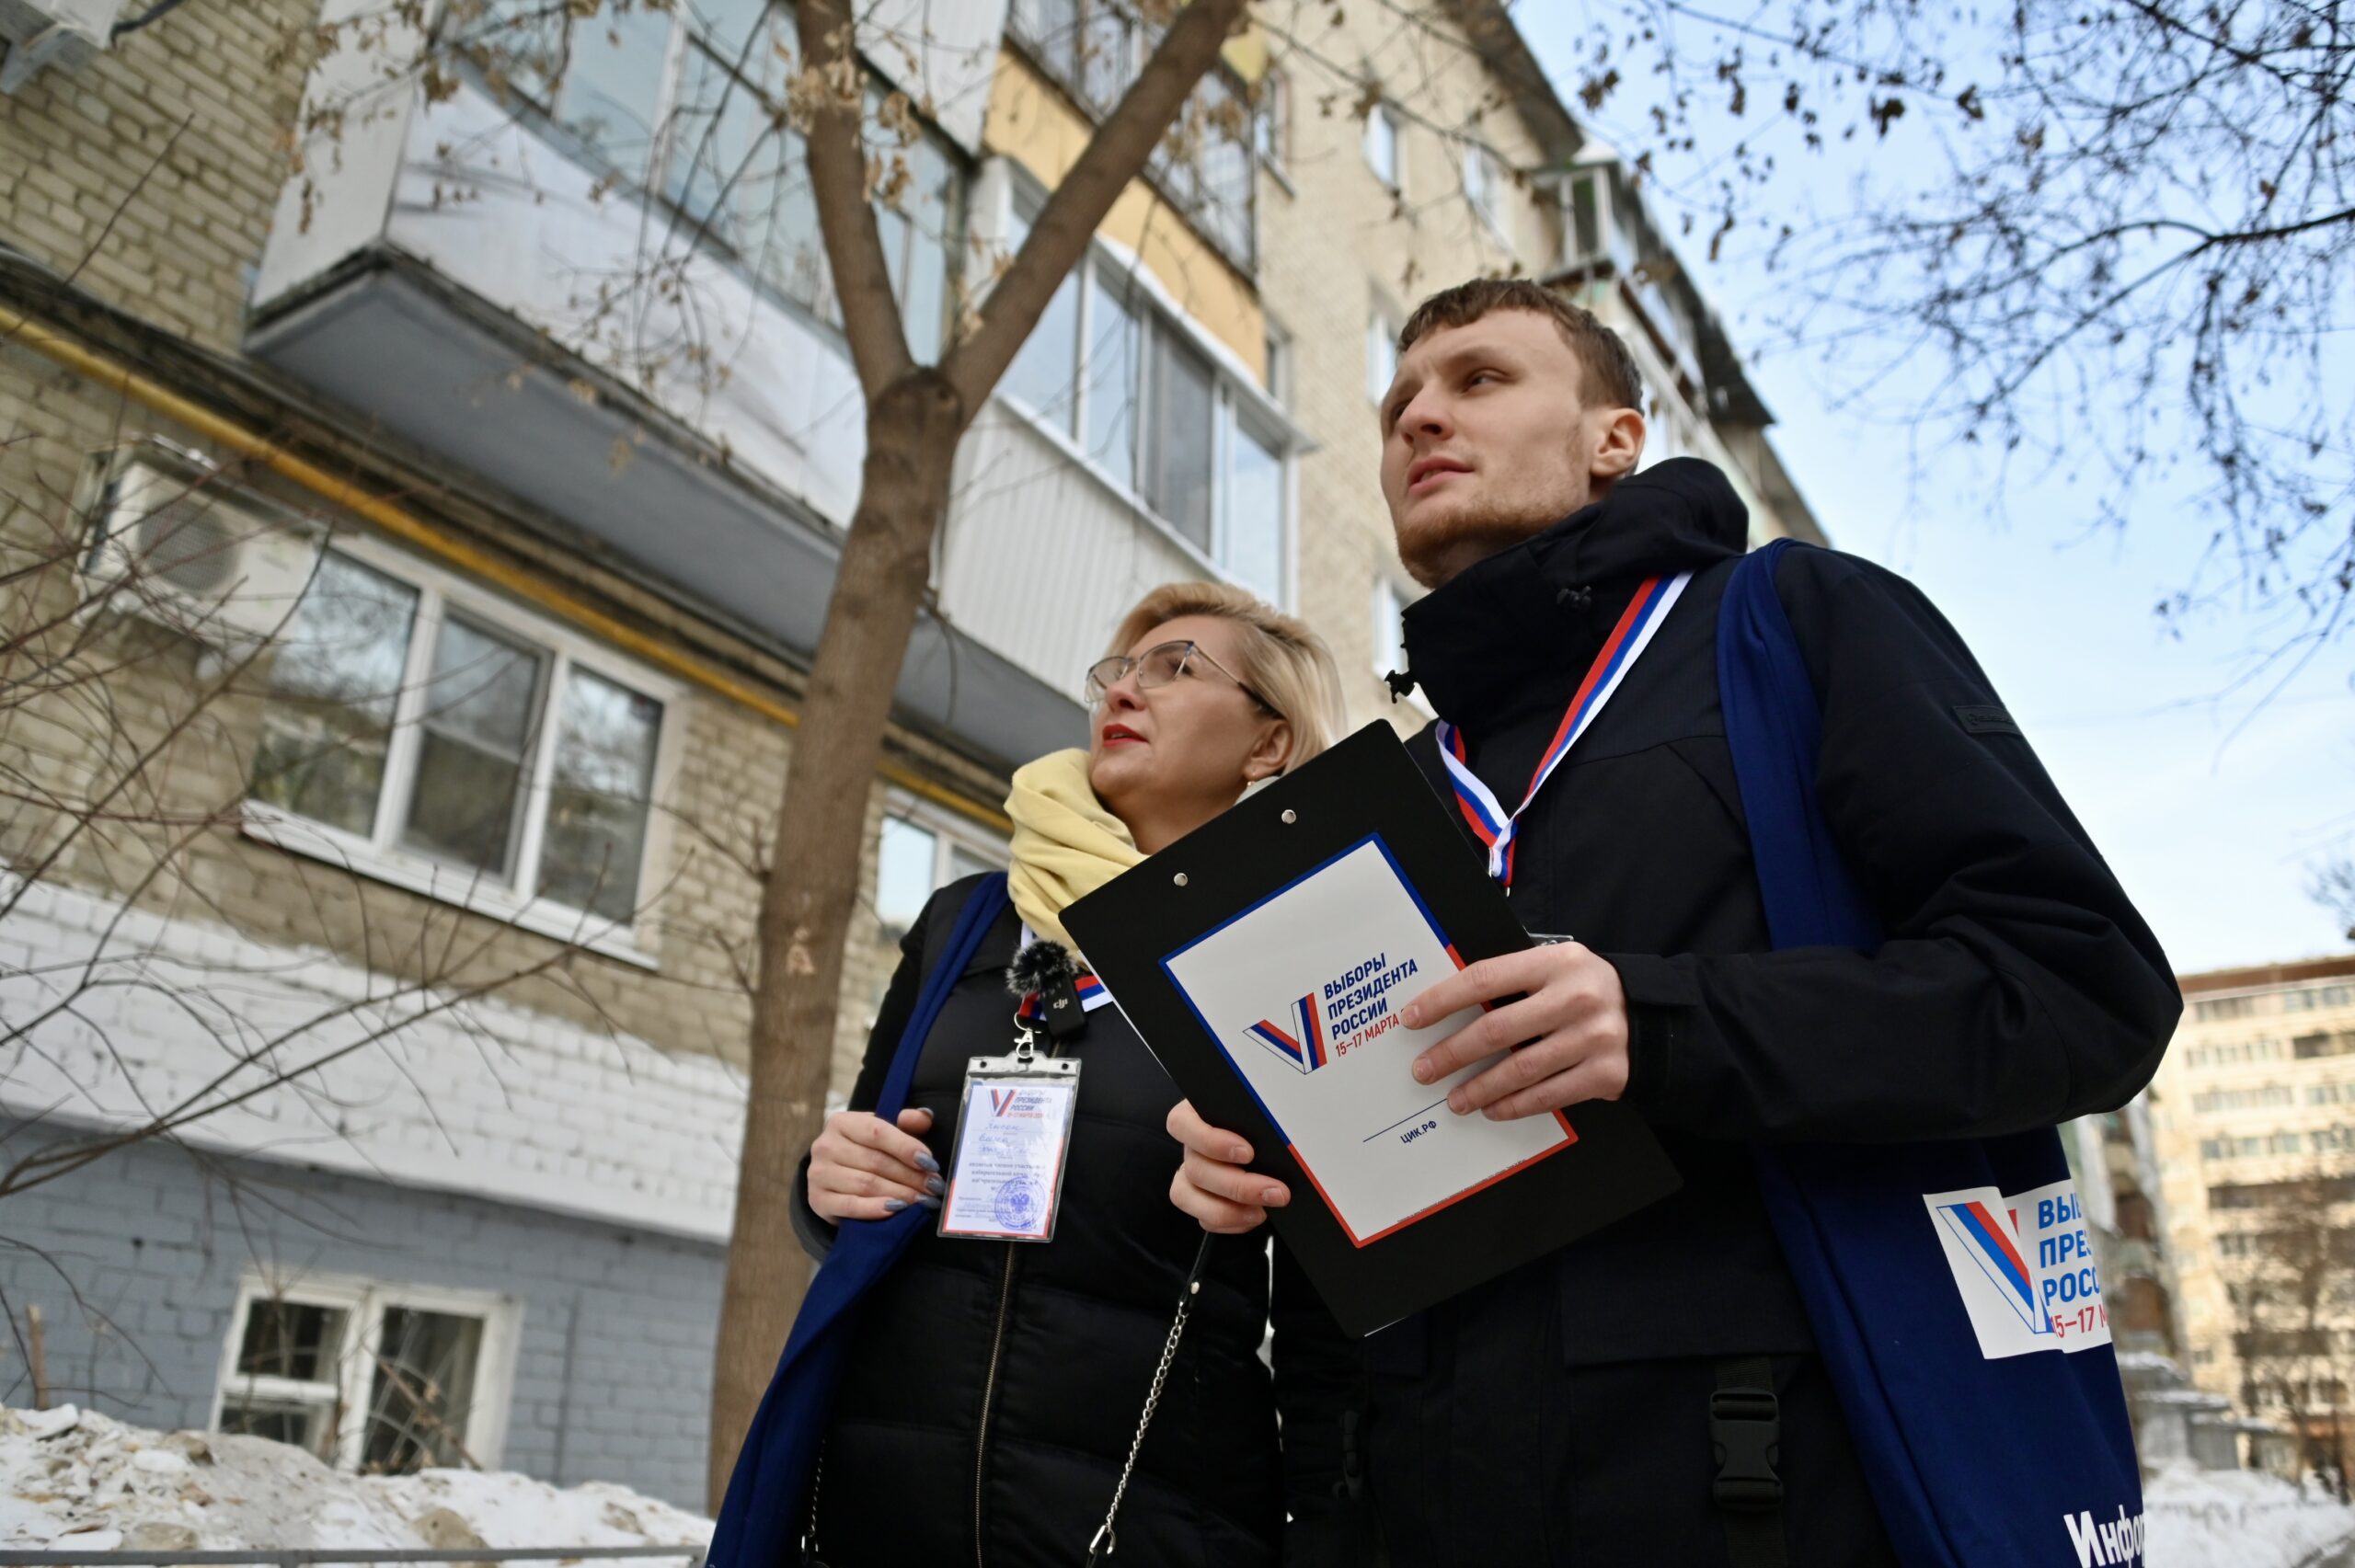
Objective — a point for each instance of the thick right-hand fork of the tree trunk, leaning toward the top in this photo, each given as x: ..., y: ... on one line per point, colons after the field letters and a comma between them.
x: 1122, y: 145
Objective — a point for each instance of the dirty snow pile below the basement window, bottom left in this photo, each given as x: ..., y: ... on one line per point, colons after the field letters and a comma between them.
x: 74, y: 1480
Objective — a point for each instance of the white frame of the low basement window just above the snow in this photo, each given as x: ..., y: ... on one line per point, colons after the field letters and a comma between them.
x: 364, y: 1305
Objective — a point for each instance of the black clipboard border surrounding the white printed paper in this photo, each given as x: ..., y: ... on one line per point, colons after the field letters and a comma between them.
x: 1362, y: 790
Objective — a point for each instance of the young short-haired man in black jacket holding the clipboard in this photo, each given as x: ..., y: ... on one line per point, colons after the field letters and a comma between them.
x: 1560, y: 1414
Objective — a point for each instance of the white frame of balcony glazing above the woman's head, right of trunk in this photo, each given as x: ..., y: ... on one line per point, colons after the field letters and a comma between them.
x: 1238, y: 397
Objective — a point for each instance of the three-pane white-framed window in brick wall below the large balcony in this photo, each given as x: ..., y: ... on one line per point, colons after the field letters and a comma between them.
x: 418, y: 731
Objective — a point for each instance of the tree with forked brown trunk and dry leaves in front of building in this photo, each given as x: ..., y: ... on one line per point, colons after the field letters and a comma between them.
x: 847, y: 145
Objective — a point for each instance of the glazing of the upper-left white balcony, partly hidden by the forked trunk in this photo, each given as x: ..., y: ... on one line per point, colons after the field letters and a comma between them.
x: 677, y: 100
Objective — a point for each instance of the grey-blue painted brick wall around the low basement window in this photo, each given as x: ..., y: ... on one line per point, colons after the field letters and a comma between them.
x: 157, y: 1240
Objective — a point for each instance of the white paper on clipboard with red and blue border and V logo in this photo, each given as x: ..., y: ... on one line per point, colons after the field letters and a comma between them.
x: 1303, y: 997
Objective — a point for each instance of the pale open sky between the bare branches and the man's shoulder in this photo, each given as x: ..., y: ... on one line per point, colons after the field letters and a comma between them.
x: 2210, y: 792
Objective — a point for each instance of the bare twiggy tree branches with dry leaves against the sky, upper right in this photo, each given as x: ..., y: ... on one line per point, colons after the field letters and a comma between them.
x: 2111, y: 241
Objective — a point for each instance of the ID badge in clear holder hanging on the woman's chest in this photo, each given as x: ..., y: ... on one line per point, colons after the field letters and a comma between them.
x: 1011, y: 1145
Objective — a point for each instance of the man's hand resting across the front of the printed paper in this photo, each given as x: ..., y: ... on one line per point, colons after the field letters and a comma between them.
x: 1572, y: 1016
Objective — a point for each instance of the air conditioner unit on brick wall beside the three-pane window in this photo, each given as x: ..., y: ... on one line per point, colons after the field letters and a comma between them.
x: 192, y: 552
